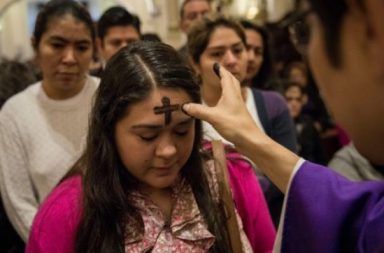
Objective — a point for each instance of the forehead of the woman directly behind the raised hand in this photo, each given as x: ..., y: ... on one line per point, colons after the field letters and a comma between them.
x: 223, y: 36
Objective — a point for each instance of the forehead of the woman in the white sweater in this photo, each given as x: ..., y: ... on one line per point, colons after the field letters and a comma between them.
x: 68, y: 27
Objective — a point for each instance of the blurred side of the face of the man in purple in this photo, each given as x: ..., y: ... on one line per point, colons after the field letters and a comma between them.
x: 353, y: 90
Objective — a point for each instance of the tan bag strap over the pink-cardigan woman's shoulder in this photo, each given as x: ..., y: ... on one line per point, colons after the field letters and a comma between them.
x: 226, y: 195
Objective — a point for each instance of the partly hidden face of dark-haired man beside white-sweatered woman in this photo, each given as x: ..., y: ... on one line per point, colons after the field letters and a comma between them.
x: 116, y: 38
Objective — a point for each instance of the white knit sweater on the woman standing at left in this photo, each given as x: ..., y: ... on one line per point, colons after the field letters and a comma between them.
x: 40, y: 139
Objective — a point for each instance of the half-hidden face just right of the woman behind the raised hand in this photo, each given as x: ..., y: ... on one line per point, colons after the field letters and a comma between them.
x: 255, y: 52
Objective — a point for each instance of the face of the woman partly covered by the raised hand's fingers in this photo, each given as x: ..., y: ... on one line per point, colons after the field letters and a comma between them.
x: 226, y: 48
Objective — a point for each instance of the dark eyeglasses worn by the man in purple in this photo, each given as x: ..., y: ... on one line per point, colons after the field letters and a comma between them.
x: 299, y: 30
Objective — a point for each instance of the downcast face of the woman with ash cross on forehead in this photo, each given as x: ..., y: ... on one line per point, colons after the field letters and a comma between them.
x: 151, y: 150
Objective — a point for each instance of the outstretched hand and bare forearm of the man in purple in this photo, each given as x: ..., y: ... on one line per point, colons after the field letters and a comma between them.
x: 230, y: 117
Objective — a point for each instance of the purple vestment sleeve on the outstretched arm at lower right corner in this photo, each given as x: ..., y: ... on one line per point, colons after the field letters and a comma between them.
x: 327, y: 213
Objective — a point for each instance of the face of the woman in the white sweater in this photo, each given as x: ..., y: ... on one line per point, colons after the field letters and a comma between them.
x: 64, y: 54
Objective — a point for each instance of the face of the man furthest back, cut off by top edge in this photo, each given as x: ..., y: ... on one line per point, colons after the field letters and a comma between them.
x: 193, y: 10
